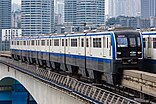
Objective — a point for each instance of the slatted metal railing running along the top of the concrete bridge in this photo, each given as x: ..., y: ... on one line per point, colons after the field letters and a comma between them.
x: 83, y: 90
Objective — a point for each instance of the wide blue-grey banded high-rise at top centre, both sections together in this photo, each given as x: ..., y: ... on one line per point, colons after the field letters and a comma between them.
x: 80, y: 12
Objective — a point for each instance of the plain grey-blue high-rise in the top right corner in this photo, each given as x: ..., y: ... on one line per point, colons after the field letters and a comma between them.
x: 148, y: 8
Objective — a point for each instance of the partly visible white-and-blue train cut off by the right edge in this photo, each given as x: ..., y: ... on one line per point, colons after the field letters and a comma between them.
x: 149, y: 41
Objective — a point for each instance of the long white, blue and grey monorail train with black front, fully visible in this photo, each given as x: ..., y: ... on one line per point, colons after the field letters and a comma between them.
x: 99, y: 56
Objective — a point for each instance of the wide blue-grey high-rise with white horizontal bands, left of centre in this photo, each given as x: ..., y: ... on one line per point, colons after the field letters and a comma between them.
x: 37, y: 17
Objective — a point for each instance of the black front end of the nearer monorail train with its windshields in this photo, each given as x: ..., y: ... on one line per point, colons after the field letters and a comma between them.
x: 129, y: 51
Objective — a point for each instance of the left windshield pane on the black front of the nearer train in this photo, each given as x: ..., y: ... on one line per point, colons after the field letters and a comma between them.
x: 122, y: 41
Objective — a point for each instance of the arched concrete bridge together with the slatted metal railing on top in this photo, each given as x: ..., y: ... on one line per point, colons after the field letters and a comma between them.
x: 48, y: 87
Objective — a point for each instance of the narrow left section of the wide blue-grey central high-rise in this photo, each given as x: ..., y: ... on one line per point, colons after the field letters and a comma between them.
x: 70, y: 7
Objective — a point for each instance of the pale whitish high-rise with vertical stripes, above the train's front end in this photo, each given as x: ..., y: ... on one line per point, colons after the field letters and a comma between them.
x: 116, y: 8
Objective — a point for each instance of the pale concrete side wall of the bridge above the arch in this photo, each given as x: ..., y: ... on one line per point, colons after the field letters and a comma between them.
x: 41, y: 92
